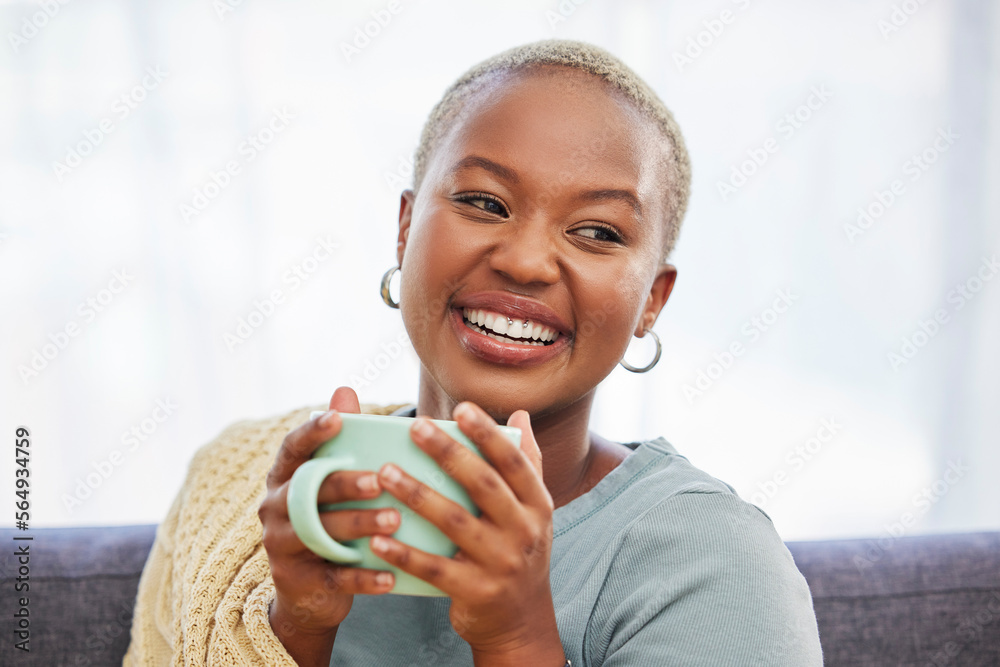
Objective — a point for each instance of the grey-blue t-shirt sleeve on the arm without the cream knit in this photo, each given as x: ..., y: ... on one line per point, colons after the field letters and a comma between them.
x: 704, y: 579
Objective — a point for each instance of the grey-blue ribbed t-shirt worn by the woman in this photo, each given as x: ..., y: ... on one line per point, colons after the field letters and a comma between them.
x: 658, y: 565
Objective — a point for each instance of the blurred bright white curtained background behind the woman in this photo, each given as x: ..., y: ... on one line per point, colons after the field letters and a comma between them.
x: 116, y: 299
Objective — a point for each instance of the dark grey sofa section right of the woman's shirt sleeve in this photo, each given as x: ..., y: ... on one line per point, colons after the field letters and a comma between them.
x: 930, y: 600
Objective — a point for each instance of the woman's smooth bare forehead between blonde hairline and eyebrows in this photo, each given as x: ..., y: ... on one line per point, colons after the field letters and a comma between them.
x: 556, y: 126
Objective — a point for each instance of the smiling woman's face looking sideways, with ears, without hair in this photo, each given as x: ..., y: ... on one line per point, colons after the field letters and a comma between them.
x: 543, y: 204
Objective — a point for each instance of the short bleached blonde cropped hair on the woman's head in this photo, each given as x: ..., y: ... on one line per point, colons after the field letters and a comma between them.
x: 587, y: 58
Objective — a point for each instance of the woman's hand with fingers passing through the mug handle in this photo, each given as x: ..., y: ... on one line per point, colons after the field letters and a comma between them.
x: 313, y: 594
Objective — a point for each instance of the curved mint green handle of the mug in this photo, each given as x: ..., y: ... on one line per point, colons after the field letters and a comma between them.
x: 303, y: 512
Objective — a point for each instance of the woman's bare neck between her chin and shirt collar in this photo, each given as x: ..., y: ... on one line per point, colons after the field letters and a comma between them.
x: 561, y: 433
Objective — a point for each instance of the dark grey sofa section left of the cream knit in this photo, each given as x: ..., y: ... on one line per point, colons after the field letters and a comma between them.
x: 81, y: 593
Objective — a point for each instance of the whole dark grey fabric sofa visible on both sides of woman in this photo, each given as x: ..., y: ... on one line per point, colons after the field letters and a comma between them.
x: 930, y: 601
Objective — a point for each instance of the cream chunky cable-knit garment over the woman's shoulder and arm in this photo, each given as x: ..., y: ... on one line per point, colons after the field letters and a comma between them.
x: 206, y: 588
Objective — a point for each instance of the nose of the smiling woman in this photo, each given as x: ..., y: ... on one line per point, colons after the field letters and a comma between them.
x: 526, y: 254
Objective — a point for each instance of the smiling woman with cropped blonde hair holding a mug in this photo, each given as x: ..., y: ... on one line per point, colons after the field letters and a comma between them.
x: 549, y: 187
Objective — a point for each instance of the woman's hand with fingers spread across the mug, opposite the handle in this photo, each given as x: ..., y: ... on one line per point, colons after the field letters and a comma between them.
x: 498, y: 582
